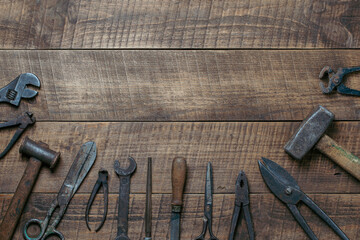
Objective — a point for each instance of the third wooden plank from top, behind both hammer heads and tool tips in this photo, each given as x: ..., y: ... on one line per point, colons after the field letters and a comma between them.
x: 230, y: 147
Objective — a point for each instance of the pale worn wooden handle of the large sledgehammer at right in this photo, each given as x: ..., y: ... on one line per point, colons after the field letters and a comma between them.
x: 340, y: 155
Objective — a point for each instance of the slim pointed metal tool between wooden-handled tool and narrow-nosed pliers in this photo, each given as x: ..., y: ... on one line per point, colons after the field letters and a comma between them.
x: 207, y: 219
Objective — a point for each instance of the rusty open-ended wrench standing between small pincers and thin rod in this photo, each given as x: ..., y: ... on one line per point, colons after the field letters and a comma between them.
x: 124, y: 197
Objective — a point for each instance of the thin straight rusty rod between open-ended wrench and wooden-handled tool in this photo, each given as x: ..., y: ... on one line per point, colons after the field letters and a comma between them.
x: 148, y: 207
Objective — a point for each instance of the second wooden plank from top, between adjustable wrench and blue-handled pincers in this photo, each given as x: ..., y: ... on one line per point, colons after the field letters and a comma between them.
x: 179, y: 85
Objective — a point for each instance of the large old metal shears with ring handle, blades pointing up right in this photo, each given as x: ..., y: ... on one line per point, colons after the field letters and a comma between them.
x: 82, y: 164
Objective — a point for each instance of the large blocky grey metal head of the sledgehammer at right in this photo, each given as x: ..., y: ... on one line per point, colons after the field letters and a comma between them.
x: 309, y: 133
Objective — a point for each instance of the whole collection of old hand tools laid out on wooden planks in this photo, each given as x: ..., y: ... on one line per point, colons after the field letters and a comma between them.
x: 310, y: 134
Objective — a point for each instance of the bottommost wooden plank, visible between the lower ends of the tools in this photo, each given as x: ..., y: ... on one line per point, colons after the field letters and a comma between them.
x: 272, y: 220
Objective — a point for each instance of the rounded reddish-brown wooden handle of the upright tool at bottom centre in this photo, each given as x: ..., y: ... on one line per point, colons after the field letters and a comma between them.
x: 178, y: 175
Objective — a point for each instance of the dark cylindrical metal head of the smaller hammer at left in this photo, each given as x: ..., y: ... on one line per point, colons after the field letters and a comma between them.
x: 40, y: 151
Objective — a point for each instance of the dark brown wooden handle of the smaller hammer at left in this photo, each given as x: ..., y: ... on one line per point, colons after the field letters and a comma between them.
x: 19, y: 199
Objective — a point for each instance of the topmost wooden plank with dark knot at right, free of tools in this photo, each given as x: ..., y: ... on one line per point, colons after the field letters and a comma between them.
x: 179, y: 24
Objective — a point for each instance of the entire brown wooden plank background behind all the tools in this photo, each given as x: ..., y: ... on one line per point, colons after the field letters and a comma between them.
x: 221, y: 81
